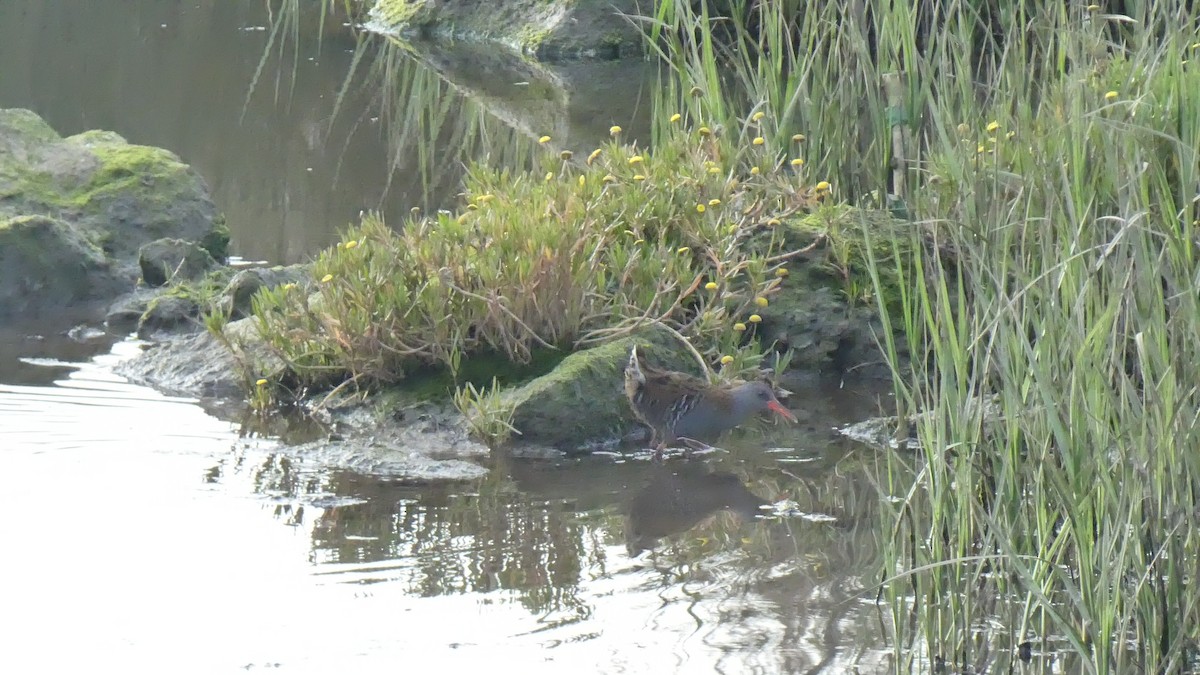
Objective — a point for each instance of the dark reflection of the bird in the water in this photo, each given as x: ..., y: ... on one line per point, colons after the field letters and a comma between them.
x: 676, y: 499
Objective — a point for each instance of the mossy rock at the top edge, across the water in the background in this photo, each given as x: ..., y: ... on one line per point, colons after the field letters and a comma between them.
x: 548, y: 31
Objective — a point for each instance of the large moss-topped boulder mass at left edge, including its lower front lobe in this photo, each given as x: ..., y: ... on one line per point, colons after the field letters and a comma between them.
x: 106, y: 200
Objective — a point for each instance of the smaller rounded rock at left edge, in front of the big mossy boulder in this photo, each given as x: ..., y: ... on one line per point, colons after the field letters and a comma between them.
x: 46, y: 266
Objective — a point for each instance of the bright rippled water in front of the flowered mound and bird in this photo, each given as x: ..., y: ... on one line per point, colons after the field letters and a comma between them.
x: 145, y: 535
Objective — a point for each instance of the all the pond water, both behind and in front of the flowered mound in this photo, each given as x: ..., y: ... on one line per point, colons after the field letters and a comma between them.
x: 145, y: 535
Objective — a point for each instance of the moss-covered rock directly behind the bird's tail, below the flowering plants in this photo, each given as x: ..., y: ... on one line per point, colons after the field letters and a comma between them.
x: 584, y: 399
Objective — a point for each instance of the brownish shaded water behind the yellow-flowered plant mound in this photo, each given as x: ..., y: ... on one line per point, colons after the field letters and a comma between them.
x: 295, y: 141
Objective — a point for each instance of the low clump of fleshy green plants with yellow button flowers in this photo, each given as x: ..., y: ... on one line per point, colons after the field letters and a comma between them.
x: 577, y: 253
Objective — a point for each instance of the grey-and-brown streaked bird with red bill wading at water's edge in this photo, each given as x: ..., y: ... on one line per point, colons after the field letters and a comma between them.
x: 681, y: 408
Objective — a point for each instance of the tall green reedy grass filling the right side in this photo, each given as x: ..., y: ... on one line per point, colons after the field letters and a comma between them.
x: 1048, y: 154
